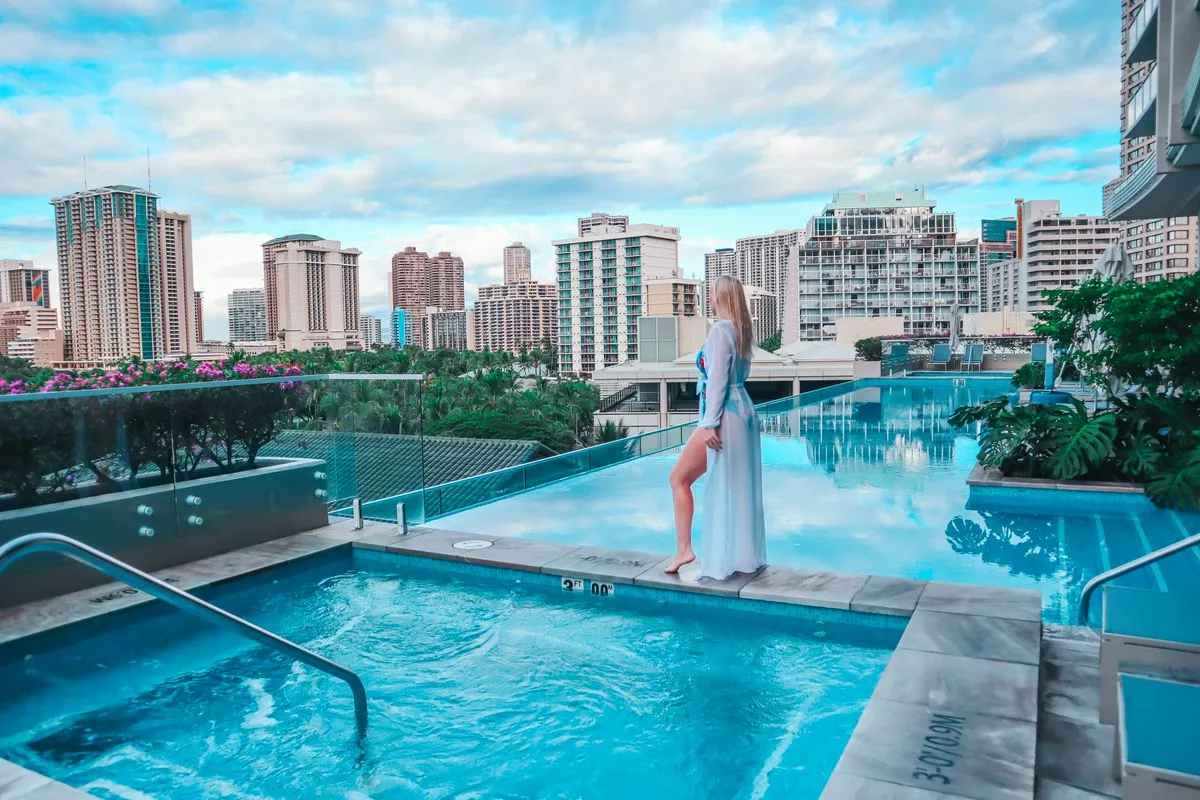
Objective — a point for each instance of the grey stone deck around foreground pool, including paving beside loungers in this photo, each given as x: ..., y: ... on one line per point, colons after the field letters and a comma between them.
x: 976, y: 702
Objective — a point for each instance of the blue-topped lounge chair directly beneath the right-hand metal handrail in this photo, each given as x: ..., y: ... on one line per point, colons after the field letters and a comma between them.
x: 1155, y: 629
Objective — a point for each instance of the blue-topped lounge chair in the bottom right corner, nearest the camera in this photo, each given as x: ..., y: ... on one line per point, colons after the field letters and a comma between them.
x: 1156, y: 753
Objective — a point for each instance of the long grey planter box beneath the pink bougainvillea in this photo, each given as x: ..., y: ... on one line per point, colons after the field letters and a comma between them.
x: 278, y: 498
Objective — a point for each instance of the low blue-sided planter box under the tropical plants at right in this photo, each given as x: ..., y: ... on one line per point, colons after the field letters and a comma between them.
x: 988, y: 490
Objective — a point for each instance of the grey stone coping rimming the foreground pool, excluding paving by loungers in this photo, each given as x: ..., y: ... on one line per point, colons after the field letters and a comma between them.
x: 956, y: 625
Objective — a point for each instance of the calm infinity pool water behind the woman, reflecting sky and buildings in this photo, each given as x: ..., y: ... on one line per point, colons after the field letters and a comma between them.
x: 872, y: 482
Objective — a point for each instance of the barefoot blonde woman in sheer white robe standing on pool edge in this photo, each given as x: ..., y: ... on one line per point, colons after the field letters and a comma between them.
x: 734, y: 536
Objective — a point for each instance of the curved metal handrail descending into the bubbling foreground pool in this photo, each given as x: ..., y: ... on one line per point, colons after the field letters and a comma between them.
x: 188, y: 603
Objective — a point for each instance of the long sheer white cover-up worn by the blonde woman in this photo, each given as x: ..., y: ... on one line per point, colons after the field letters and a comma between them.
x: 734, y: 534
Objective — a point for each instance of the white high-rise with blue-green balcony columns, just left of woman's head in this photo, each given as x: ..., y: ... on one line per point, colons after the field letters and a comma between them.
x: 601, y: 279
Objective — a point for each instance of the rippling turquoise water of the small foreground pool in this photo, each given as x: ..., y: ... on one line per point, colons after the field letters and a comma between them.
x: 478, y: 688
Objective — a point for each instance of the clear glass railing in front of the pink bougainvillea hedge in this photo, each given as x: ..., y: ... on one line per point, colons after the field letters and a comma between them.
x: 165, y: 474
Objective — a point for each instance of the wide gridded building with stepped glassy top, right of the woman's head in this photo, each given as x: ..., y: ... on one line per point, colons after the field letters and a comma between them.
x: 880, y: 255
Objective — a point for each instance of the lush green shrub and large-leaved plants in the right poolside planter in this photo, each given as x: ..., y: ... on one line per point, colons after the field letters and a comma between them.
x: 1148, y: 435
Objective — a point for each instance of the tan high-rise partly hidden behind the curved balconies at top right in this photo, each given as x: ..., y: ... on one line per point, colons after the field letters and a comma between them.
x: 1163, y: 248
